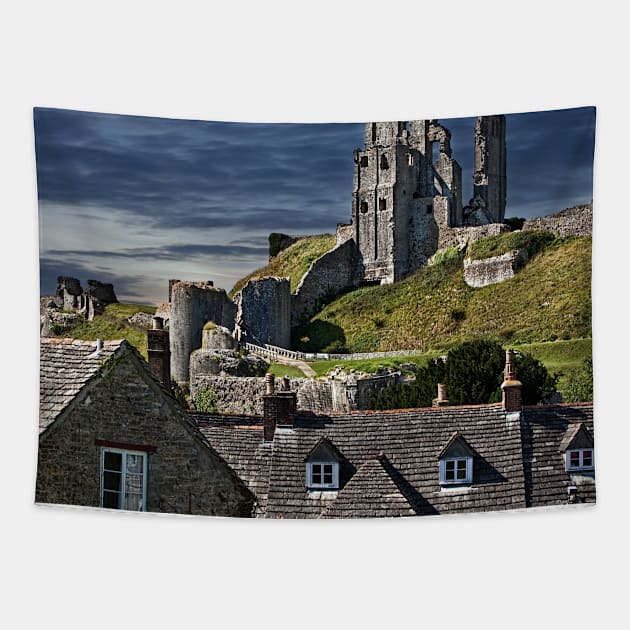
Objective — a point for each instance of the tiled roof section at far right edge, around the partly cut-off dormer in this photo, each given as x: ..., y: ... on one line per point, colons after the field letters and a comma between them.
x: 544, y: 429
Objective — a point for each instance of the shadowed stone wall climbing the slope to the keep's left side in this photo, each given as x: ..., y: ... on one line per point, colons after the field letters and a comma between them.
x: 330, y: 274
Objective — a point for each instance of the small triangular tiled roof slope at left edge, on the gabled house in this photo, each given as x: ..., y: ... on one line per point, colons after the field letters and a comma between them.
x: 65, y: 366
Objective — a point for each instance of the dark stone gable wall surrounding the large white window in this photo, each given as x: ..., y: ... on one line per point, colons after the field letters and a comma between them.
x: 126, y: 406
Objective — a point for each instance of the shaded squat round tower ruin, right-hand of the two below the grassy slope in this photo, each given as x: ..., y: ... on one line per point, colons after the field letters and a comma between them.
x: 263, y: 312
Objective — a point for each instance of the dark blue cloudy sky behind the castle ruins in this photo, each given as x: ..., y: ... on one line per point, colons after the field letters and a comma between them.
x: 136, y: 201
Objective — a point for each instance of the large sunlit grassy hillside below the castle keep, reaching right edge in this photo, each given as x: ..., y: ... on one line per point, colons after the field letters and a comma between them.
x: 548, y: 299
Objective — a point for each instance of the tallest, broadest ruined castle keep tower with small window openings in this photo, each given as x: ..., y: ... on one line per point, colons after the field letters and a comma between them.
x: 402, y: 196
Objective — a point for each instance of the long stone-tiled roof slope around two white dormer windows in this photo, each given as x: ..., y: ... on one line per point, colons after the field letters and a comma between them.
x: 406, y: 445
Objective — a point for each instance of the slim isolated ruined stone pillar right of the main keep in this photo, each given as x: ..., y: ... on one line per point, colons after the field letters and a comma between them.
x: 489, y: 179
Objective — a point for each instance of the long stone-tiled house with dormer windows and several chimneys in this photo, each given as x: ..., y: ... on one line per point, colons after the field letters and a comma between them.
x: 438, y: 460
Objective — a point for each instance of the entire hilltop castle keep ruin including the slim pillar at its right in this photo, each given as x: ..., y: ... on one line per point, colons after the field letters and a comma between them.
x: 407, y: 195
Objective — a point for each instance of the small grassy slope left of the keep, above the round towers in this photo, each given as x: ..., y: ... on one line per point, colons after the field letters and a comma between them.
x: 293, y: 261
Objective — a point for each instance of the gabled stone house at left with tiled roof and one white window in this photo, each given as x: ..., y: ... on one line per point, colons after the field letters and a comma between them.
x: 113, y: 436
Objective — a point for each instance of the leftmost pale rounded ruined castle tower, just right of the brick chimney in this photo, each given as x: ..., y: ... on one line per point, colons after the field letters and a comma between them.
x: 193, y: 304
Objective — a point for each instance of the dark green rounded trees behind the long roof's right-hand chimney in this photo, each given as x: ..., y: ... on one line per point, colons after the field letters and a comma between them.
x: 473, y: 373
